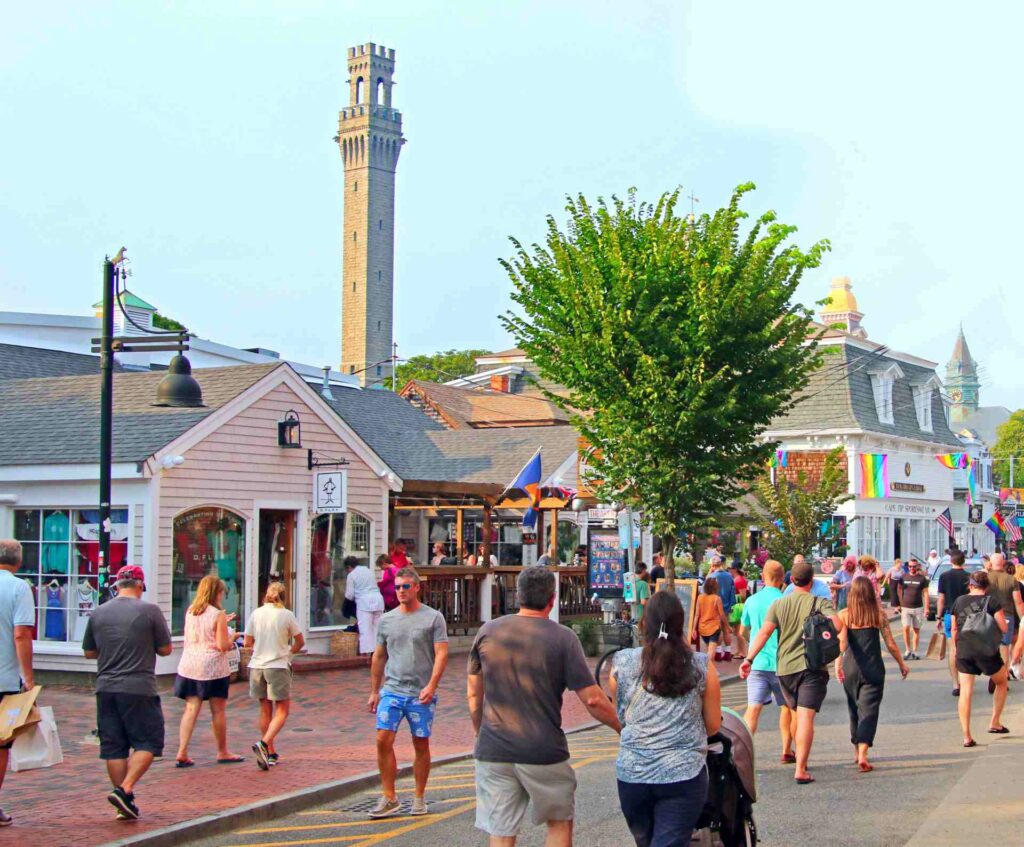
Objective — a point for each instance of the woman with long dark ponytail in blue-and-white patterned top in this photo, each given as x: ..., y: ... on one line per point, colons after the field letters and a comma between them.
x: 669, y: 702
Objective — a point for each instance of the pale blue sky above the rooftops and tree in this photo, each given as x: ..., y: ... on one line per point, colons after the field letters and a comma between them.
x: 199, y: 135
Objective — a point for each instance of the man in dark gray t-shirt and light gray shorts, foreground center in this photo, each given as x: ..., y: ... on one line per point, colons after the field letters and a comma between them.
x: 519, y: 670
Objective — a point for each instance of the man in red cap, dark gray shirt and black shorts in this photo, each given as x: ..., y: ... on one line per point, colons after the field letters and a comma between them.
x: 125, y: 636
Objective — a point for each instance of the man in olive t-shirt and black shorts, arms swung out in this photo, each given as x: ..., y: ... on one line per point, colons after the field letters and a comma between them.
x: 803, y: 689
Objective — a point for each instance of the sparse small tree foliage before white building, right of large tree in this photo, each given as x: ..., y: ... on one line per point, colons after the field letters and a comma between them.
x: 798, y: 516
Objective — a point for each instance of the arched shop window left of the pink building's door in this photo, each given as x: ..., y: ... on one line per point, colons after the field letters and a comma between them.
x: 207, y: 541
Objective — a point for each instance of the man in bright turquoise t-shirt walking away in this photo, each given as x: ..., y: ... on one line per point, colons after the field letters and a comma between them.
x: 763, y: 685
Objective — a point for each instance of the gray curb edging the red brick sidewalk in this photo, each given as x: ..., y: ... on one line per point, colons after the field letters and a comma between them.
x: 259, y: 813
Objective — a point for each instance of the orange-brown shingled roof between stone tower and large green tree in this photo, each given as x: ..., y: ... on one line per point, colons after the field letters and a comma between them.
x: 482, y: 408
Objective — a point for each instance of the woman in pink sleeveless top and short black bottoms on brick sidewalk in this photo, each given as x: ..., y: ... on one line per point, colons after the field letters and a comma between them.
x: 203, y: 673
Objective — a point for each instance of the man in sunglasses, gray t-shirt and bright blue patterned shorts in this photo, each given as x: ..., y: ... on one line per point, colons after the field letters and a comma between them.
x: 408, y: 665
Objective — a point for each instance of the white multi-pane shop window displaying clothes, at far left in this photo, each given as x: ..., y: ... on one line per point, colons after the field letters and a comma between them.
x: 61, y: 565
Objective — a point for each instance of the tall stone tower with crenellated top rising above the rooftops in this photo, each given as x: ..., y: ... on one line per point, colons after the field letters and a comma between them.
x: 370, y: 141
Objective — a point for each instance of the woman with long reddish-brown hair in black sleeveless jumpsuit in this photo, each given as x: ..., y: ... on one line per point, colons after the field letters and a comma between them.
x: 860, y: 666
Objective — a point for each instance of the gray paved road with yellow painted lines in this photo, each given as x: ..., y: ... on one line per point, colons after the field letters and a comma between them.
x: 918, y: 756
